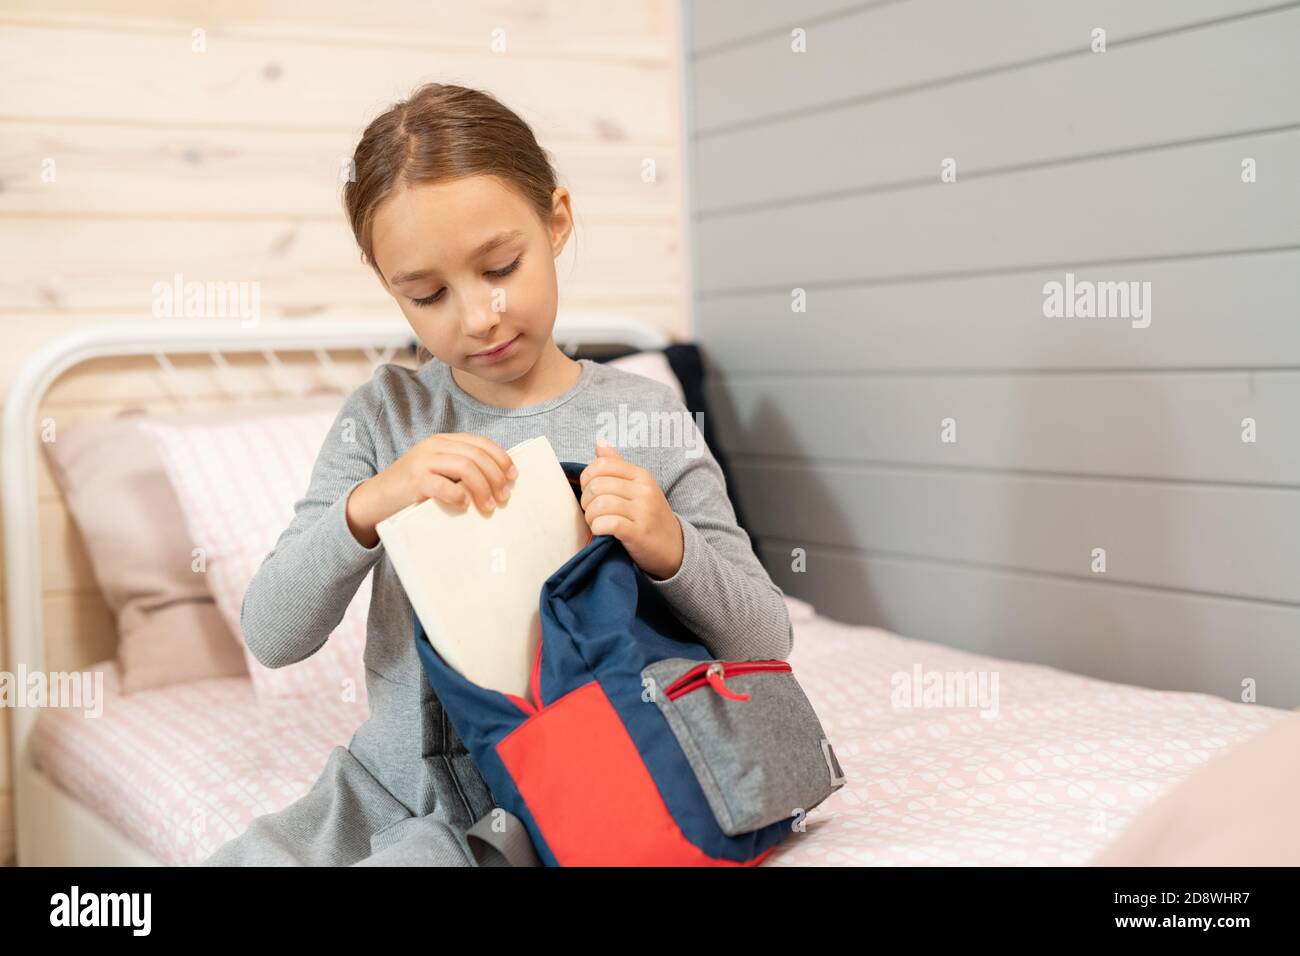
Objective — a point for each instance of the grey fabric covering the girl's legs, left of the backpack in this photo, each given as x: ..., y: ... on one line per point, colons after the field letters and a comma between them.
x: 348, y: 819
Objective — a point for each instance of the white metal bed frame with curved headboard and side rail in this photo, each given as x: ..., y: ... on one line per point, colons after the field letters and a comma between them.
x: 55, y: 829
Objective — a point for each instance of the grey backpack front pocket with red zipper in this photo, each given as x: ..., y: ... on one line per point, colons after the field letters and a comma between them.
x: 751, y: 737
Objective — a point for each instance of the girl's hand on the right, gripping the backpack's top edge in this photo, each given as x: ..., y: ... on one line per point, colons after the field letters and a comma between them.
x: 625, y: 500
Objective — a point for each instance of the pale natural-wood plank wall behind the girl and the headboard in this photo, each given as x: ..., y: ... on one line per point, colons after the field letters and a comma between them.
x: 226, y: 166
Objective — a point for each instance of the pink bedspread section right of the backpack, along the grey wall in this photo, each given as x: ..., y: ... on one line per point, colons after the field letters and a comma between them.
x: 1067, y: 764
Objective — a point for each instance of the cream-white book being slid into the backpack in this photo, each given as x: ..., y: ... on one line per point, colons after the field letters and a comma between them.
x: 475, y: 581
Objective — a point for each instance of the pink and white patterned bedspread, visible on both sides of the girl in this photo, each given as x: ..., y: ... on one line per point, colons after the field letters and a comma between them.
x: 1058, y: 772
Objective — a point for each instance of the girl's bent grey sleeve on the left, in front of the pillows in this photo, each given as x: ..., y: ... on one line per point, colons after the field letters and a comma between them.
x: 306, y: 583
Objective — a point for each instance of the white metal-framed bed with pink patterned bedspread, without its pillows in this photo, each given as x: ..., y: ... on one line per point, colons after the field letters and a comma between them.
x: 168, y: 776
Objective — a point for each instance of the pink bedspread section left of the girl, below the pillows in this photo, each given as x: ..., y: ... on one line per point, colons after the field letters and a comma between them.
x: 183, y: 769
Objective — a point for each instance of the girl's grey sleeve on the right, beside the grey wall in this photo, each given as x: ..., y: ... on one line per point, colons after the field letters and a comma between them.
x: 722, y: 591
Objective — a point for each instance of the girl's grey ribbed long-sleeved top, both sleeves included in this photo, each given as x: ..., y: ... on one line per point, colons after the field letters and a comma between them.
x: 305, y: 585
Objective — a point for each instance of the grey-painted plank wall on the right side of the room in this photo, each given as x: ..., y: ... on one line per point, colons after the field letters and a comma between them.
x: 821, y: 171
